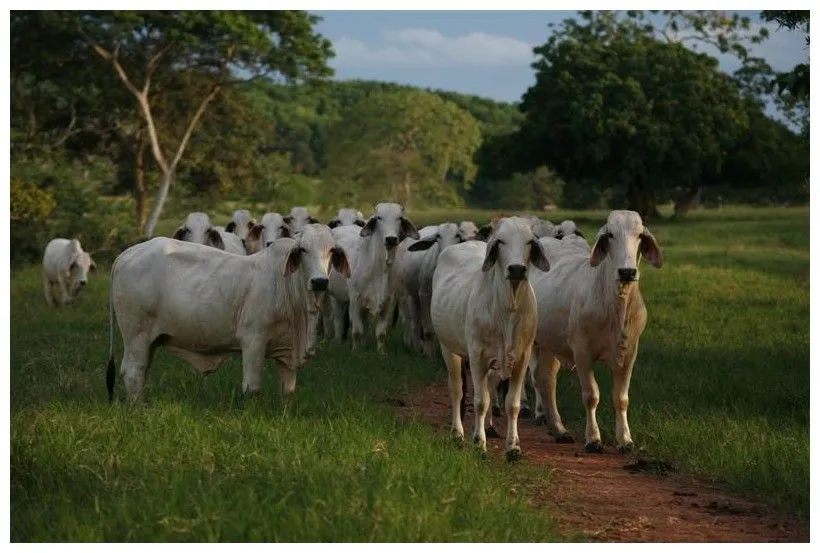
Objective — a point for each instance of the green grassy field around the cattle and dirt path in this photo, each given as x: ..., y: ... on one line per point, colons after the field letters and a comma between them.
x: 721, y: 388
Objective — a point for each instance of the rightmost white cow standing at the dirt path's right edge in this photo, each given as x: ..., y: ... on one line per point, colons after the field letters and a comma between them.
x: 591, y: 309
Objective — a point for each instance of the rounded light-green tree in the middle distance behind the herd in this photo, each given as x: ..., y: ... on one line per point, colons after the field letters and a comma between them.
x: 404, y: 145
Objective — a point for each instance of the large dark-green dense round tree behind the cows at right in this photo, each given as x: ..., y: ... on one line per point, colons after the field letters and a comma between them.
x: 614, y: 104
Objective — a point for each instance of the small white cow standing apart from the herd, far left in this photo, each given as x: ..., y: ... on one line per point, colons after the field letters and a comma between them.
x: 68, y: 266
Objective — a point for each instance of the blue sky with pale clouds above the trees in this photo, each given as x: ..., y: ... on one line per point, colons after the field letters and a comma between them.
x: 476, y: 52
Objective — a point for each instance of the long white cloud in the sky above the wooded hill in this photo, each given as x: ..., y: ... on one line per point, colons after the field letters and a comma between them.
x: 417, y: 47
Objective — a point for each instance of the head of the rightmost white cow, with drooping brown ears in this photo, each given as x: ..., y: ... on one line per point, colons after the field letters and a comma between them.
x: 623, y: 239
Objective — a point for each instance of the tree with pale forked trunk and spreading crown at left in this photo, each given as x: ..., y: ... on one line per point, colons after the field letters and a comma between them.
x: 147, y: 50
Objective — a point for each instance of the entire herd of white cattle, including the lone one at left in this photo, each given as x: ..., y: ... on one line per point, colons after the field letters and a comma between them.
x: 518, y: 296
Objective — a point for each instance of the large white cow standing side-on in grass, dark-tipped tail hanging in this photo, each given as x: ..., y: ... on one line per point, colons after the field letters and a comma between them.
x: 203, y: 306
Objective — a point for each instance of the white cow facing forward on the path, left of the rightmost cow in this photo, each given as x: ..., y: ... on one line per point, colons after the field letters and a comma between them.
x: 483, y: 309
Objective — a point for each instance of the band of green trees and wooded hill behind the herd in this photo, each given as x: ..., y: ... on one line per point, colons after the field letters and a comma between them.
x: 116, y: 114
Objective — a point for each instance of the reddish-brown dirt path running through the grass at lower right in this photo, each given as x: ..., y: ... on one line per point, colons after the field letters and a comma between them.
x: 597, y: 497
